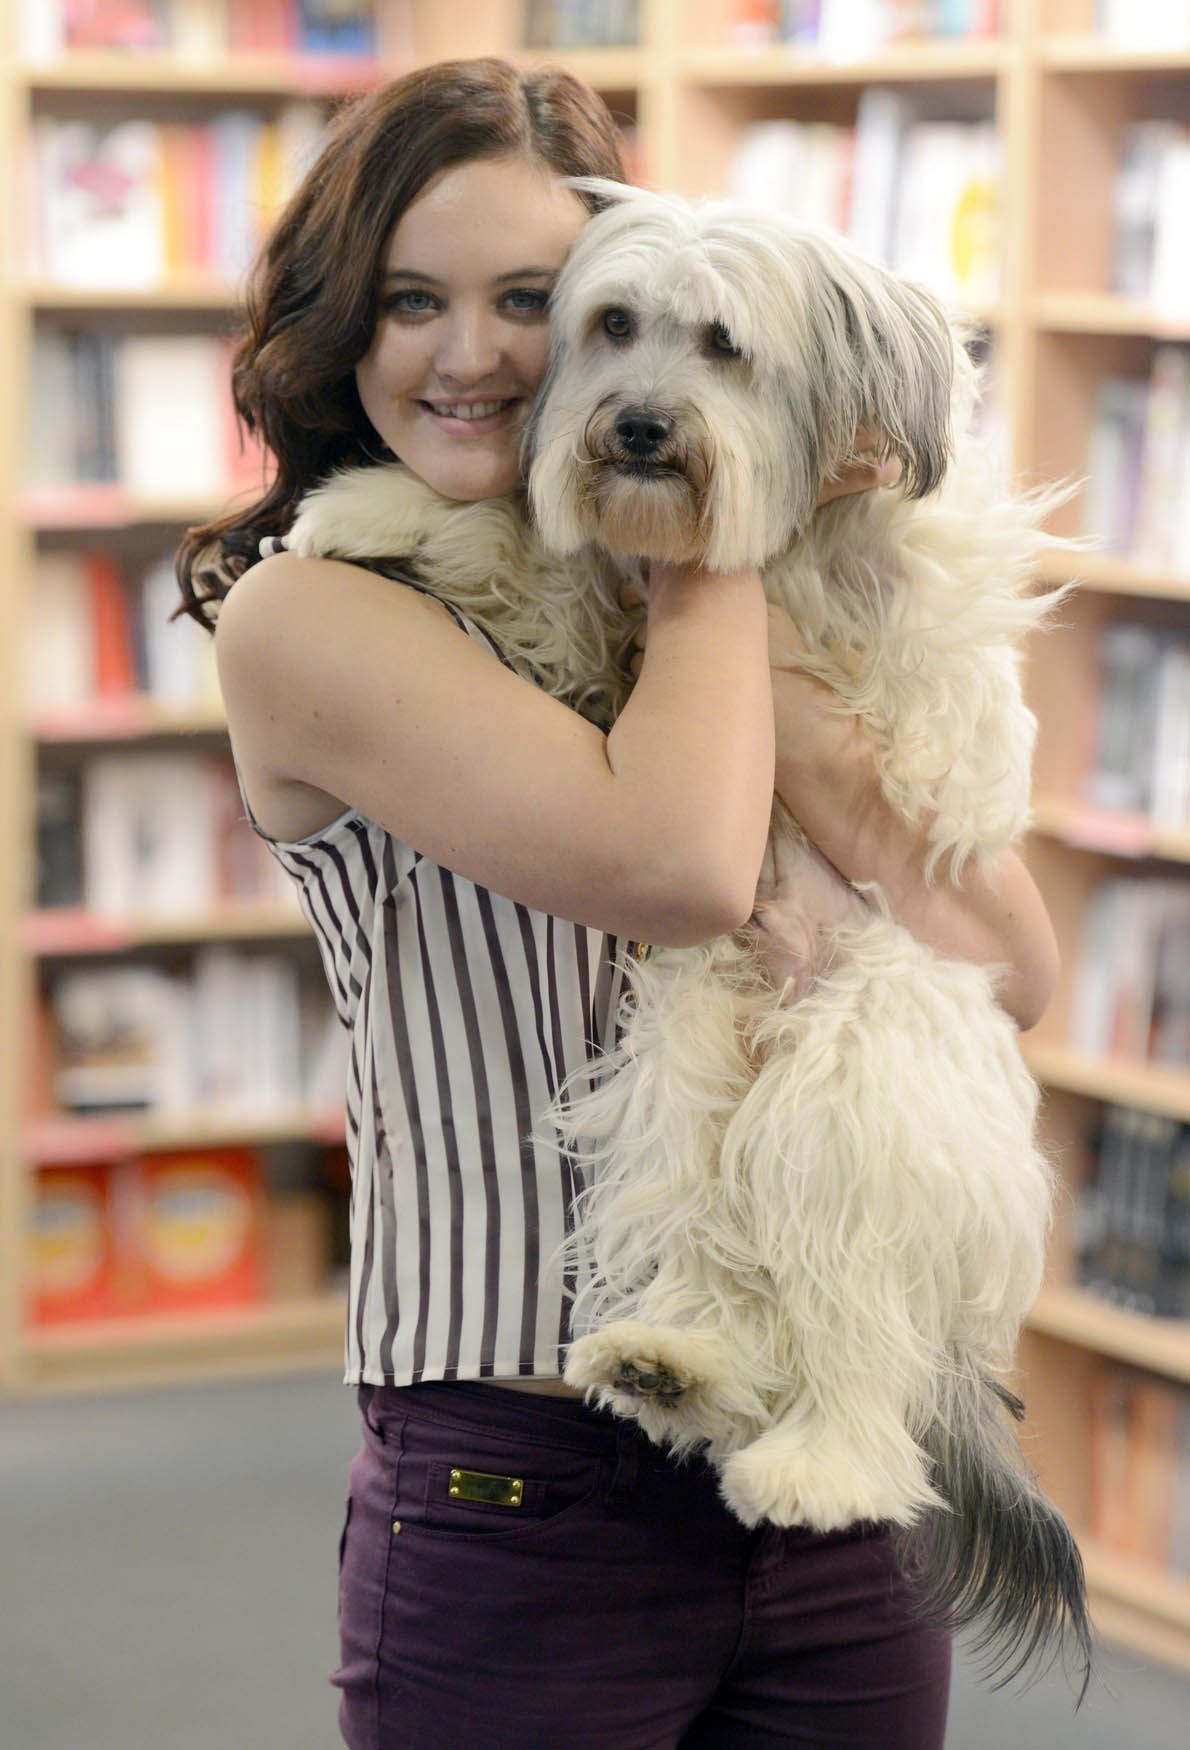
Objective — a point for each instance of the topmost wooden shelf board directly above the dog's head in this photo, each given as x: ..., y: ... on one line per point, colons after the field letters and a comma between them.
x: 918, y: 64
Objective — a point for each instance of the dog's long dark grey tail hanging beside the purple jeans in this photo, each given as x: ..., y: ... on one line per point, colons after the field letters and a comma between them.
x: 1002, y: 1562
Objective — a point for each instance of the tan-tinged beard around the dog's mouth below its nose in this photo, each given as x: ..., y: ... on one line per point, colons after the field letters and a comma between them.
x: 647, y: 508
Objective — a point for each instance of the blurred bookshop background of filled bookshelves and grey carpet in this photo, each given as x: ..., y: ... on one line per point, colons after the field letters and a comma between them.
x: 174, y: 1434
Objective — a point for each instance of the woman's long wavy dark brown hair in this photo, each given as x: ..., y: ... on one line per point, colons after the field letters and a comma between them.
x: 311, y: 300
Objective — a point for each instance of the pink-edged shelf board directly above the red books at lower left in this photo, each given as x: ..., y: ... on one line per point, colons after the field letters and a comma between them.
x: 52, y: 1142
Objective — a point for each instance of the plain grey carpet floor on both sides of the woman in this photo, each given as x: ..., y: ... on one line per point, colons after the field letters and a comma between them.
x: 167, y: 1583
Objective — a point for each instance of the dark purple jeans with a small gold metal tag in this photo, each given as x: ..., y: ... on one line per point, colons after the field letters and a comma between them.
x: 603, y: 1597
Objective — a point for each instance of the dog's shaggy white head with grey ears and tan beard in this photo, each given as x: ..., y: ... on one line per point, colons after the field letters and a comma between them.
x: 710, y: 368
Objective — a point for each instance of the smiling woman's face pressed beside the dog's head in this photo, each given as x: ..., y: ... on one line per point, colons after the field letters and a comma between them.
x: 461, y: 337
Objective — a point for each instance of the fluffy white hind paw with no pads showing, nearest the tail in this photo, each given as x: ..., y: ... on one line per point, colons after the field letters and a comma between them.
x: 825, y: 1490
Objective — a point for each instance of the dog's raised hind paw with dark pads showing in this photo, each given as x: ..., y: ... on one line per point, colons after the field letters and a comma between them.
x: 633, y: 1361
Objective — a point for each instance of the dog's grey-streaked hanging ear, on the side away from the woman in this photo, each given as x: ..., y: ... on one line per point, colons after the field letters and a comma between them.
x: 902, y: 365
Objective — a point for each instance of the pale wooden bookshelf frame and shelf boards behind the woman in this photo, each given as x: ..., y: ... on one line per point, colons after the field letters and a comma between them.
x: 1058, y: 97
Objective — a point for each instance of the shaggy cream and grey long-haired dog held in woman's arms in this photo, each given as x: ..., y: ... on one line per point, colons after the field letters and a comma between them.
x: 816, y: 1208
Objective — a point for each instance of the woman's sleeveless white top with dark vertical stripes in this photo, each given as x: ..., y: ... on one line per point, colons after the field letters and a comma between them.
x: 466, y: 1012
